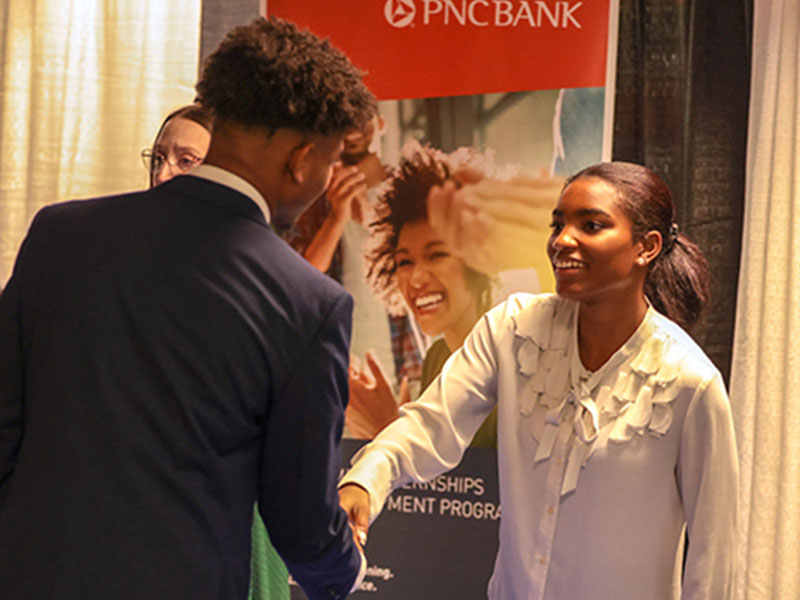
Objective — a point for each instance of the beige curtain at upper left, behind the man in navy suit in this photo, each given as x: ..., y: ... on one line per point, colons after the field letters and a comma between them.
x: 83, y: 87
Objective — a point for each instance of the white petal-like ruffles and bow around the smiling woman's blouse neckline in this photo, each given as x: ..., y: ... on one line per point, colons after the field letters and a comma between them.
x: 634, y: 396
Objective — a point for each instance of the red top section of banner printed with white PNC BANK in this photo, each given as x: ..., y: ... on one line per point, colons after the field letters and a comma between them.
x: 428, y: 48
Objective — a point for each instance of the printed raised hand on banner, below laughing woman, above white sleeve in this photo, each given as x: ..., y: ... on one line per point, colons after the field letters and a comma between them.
x: 372, y: 404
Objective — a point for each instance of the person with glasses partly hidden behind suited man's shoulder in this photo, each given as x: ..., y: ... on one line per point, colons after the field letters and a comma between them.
x: 180, y: 145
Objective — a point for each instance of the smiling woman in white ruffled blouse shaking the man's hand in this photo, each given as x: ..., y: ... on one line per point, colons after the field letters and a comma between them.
x: 614, y: 429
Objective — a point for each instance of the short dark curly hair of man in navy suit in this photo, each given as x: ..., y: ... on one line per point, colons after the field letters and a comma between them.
x: 273, y: 75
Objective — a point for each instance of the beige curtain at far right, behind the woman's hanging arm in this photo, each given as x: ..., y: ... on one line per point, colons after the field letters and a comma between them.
x: 765, y: 380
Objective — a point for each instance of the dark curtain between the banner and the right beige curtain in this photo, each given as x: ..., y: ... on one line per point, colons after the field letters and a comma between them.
x: 683, y: 83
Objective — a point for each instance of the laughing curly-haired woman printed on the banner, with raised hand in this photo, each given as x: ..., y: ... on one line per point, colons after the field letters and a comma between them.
x: 410, y: 266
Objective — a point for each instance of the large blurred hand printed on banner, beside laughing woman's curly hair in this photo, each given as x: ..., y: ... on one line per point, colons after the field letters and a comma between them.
x: 496, y: 225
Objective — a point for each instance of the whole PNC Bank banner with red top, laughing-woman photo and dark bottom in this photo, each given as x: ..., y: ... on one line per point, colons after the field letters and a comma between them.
x: 502, y: 99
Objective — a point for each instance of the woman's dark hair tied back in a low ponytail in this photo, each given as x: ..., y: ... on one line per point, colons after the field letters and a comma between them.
x: 678, y: 281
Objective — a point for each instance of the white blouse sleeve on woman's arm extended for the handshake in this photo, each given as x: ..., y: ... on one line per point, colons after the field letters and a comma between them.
x: 430, y: 435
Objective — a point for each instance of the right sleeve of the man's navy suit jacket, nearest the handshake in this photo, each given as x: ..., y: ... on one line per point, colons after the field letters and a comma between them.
x: 301, y: 461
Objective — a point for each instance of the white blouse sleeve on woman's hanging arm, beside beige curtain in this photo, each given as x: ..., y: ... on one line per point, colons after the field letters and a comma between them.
x: 708, y: 475
